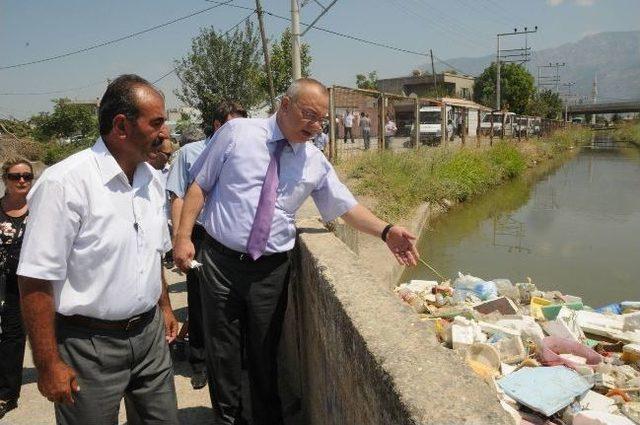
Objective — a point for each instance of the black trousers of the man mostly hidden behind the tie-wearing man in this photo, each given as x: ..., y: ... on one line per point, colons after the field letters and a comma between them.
x: 194, y: 304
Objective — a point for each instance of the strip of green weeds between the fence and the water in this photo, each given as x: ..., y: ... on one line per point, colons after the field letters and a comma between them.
x: 402, y: 181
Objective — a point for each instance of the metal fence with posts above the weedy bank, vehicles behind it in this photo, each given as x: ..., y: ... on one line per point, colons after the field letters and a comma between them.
x: 368, y: 120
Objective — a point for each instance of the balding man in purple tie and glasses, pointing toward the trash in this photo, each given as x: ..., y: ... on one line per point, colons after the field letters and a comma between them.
x: 245, y: 288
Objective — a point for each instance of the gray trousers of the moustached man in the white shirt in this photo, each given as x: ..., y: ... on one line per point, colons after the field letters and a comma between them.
x: 112, y: 364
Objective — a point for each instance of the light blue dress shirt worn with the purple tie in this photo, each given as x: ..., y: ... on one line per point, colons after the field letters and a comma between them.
x: 231, y: 171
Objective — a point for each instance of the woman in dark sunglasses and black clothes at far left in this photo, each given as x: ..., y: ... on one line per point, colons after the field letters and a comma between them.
x: 17, y: 175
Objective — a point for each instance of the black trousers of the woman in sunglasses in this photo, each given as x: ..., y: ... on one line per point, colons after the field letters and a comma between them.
x: 12, y: 341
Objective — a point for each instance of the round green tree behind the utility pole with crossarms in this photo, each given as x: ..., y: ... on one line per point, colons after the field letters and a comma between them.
x: 516, y: 87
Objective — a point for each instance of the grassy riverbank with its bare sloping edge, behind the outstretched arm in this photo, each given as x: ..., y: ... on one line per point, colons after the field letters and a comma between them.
x: 414, y: 188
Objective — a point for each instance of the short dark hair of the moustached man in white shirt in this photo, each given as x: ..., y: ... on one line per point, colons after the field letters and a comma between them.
x: 120, y: 98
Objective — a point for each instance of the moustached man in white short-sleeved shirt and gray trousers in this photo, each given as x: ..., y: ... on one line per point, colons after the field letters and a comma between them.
x: 94, y: 299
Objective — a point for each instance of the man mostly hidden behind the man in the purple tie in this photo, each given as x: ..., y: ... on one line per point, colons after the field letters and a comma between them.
x: 178, y: 181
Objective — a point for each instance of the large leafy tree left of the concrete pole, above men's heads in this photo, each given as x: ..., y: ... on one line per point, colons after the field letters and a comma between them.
x: 221, y: 67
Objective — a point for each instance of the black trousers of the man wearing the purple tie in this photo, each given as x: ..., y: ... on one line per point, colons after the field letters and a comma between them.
x: 238, y: 293
